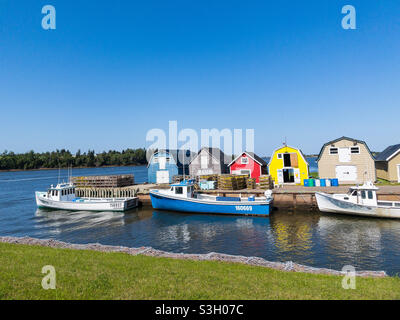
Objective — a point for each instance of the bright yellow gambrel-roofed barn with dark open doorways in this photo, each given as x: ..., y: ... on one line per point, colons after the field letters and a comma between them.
x: 288, y: 165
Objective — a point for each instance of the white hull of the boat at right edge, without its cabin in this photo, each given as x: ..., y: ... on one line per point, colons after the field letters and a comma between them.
x: 327, y: 203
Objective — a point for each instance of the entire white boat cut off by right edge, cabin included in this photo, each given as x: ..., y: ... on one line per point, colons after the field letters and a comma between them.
x: 360, y: 201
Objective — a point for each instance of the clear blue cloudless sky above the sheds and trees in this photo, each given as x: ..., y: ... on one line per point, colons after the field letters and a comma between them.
x: 112, y: 70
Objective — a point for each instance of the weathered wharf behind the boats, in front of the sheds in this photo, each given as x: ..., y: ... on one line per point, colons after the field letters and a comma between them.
x: 288, y: 196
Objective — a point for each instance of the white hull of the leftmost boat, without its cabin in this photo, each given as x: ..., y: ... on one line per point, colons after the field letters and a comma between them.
x: 85, y: 204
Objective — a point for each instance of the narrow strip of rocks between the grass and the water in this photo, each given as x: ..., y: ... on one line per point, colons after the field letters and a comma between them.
x: 212, y: 256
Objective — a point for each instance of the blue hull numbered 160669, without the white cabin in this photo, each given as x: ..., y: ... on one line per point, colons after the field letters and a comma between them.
x: 193, y: 205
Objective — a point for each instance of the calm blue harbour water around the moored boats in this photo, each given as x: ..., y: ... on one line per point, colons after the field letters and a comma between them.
x: 318, y: 240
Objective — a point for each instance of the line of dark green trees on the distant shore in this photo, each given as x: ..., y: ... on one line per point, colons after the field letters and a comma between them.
x: 64, y: 158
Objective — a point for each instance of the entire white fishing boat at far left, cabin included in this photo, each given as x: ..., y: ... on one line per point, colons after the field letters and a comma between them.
x: 63, y: 197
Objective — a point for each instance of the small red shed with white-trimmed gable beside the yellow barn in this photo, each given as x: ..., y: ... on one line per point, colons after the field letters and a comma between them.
x: 248, y: 163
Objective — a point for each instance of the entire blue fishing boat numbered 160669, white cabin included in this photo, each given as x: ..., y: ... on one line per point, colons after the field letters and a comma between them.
x: 182, y: 197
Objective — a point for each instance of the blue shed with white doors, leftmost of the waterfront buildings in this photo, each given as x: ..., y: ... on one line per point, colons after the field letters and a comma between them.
x: 164, y: 164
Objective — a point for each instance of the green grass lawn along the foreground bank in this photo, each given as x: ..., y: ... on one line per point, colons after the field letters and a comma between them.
x: 98, y: 275
